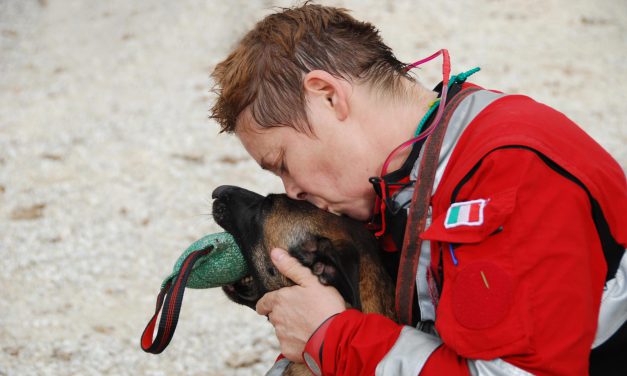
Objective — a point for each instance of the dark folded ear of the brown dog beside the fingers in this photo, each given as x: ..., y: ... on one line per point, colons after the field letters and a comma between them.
x: 335, y: 263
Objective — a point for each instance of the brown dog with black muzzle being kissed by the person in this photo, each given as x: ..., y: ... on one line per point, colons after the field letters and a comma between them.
x: 339, y: 250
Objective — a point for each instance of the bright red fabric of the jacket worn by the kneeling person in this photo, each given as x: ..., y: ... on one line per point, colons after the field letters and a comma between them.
x: 528, y: 283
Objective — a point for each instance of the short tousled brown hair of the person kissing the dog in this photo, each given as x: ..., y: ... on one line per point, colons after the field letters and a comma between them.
x: 266, y: 69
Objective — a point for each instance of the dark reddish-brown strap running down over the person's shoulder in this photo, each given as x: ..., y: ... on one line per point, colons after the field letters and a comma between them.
x: 419, y: 207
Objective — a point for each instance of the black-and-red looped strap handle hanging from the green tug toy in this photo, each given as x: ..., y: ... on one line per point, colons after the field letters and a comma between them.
x: 173, y: 294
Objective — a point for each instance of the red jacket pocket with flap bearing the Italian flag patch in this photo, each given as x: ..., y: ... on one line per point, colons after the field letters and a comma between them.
x: 482, y: 310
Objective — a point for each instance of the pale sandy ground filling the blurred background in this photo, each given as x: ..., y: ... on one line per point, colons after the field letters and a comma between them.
x: 107, y: 158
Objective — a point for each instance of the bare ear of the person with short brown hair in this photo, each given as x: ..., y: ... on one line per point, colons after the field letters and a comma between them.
x: 330, y: 91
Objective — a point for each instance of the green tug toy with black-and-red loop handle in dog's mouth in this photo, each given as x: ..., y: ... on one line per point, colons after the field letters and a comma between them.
x: 214, y: 260
